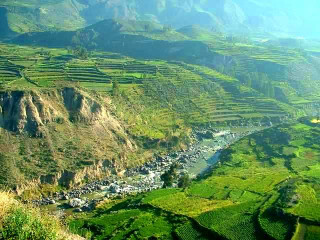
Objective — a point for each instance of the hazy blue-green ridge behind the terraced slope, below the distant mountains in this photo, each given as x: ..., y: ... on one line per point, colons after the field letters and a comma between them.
x: 288, y: 74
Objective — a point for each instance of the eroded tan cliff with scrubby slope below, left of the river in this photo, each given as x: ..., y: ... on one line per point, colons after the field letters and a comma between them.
x: 61, y: 136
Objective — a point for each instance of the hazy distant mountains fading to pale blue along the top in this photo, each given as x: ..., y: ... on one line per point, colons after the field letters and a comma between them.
x: 279, y: 18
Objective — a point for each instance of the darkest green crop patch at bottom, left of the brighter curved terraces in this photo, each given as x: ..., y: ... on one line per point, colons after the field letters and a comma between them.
x: 112, y: 222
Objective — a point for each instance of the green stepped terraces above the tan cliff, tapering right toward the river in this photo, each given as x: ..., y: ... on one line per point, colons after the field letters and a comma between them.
x: 192, y: 94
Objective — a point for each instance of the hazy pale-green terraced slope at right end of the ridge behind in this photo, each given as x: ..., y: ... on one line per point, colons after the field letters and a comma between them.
x: 281, y: 73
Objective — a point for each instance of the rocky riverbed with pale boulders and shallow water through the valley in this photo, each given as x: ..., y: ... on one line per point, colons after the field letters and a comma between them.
x: 202, y: 155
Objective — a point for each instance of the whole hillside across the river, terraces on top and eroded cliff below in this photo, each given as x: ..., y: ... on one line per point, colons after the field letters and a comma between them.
x: 52, y: 99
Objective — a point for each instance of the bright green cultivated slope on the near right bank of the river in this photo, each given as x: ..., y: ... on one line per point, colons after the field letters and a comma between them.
x: 266, y: 186
